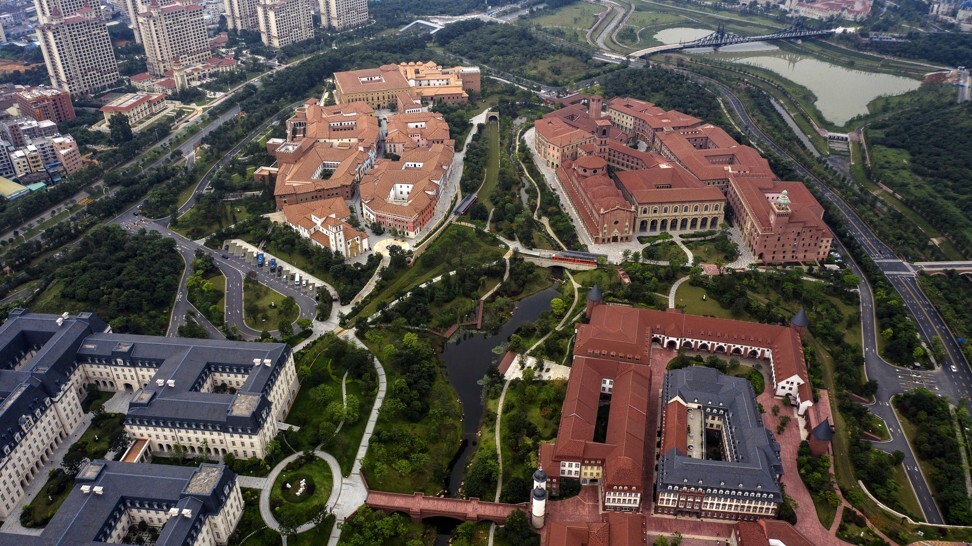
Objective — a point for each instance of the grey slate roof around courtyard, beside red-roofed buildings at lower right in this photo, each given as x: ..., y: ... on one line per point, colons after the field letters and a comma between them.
x: 756, y: 462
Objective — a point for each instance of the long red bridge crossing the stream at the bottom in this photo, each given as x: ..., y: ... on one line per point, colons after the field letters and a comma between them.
x: 418, y: 507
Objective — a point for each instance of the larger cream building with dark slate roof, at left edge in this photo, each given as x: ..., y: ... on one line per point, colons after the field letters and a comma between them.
x: 203, y: 396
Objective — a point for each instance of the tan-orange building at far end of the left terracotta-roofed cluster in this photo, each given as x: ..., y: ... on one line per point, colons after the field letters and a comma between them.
x: 427, y: 82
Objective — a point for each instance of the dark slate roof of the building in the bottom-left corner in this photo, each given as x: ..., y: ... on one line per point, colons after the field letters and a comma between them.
x: 88, y: 518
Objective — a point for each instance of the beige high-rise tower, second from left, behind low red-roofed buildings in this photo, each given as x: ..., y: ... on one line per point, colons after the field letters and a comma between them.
x: 173, y: 35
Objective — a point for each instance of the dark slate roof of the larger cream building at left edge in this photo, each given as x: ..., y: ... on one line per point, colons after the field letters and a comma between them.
x: 62, y: 343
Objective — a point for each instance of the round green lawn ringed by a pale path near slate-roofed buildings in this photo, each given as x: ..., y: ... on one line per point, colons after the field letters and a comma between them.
x: 288, y: 507
